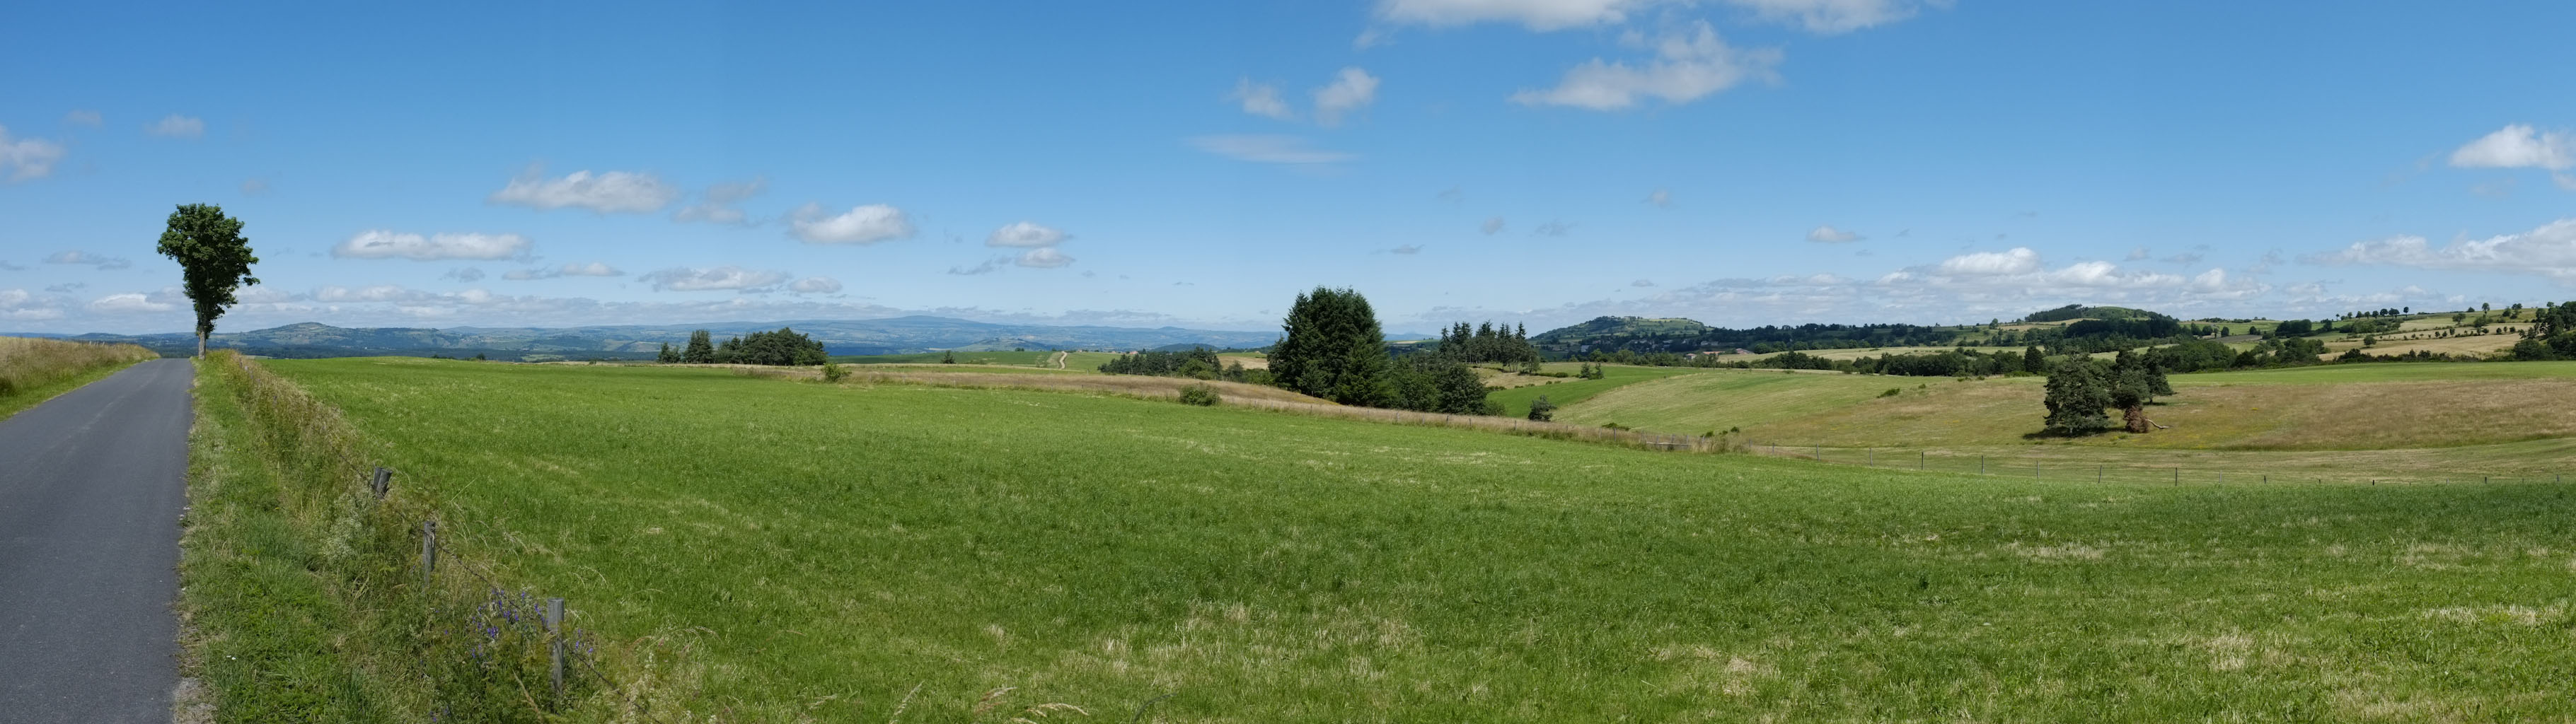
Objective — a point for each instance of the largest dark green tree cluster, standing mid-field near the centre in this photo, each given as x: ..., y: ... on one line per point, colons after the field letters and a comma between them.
x: 1336, y: 349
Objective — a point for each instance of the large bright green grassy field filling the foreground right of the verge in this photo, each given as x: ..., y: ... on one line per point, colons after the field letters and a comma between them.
x: 844, y: 548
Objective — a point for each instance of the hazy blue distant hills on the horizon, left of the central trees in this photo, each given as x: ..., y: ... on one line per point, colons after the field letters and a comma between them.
x: 643, y: 341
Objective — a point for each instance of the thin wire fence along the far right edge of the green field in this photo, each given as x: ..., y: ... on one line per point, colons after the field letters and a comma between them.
x: 2132, y: 468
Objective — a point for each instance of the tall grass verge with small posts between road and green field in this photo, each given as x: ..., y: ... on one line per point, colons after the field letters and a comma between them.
x: 295, y: 550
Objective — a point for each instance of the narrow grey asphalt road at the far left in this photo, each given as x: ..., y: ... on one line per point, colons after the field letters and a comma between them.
x: 91, y: 488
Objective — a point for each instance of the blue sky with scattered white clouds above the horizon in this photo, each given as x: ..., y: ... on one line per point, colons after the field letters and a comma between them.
x: 1199, y: 164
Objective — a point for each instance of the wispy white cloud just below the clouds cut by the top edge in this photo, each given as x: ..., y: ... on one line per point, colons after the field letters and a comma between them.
x: 1686, y: 68
